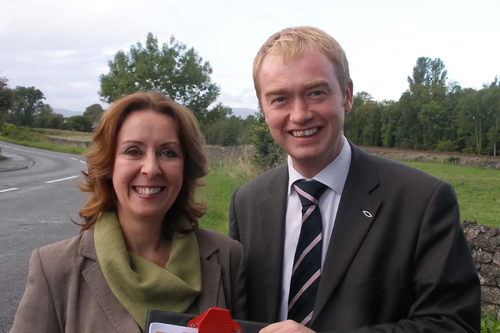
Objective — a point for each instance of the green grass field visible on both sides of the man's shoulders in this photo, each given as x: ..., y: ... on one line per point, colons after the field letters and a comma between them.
x: 478, y: 192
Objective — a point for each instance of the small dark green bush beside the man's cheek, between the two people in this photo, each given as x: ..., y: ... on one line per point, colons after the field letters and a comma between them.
x: 268, y: 154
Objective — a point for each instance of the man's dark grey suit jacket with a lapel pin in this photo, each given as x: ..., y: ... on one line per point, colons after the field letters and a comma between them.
x: 408, y: 268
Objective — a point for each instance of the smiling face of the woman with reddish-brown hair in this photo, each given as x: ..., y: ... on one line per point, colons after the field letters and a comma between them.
x: 148, y: 168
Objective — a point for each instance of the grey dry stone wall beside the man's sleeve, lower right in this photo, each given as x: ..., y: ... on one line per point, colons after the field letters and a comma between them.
x: 485, y: 245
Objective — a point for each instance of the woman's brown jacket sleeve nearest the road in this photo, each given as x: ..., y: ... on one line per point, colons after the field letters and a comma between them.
x: 36, y: 311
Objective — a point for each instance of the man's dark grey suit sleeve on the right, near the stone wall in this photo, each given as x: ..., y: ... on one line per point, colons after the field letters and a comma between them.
x: 446, y: 284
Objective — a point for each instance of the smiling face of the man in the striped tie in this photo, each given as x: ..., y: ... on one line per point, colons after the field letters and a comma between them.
x: 304, y: 107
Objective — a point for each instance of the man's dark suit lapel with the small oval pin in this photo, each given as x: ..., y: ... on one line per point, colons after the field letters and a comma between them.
x: 356, y: 213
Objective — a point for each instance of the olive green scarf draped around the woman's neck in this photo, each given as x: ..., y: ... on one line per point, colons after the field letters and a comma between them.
x: 140, y: 284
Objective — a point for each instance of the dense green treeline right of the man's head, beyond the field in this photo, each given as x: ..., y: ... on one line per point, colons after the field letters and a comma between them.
x: 431, y: 115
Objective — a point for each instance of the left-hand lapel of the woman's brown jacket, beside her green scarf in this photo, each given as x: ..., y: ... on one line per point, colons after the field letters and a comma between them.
x: 117, y: 314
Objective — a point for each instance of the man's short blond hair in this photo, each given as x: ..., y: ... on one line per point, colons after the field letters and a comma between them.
x: 291, y: 42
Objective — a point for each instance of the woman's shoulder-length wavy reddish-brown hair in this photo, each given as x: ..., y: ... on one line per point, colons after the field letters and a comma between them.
x: 100, y: 159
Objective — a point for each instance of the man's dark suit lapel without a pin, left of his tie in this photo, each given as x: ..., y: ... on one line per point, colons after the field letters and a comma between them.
x: 272, y: 212
